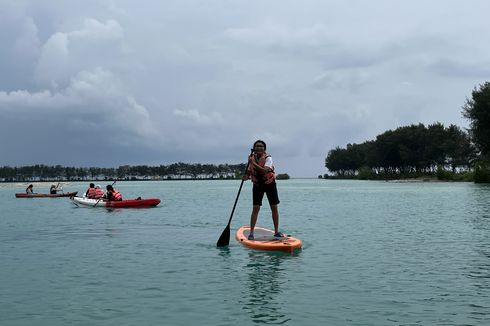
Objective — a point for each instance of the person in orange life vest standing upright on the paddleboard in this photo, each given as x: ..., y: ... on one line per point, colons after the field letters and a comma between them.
x: 261, y: 172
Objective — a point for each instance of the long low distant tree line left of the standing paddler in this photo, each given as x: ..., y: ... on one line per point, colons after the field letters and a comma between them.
x: 126, y: 172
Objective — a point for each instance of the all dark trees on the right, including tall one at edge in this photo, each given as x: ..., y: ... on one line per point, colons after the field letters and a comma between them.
x: 416, y: 149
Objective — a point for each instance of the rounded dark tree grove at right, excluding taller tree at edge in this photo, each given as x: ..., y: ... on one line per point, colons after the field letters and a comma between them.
x: 407, y: 151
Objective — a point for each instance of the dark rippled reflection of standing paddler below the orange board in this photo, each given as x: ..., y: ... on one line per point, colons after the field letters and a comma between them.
x: 266, y: 278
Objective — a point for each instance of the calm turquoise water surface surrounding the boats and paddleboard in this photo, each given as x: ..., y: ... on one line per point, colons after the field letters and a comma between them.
x: 375, y: 253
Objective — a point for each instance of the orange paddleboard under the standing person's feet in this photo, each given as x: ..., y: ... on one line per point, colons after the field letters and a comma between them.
x: 264, y: 240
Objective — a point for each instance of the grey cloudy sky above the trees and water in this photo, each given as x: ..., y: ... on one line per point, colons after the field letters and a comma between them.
x: 108, y: 83
